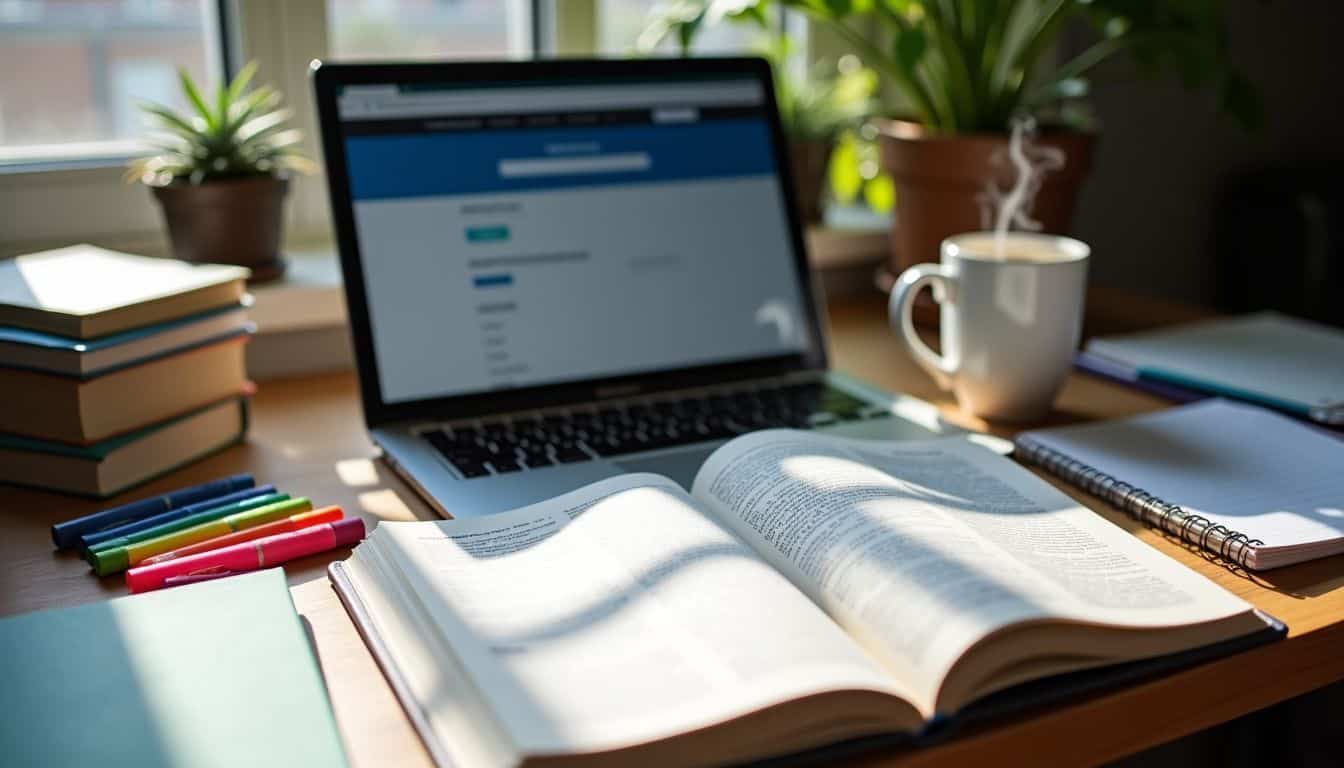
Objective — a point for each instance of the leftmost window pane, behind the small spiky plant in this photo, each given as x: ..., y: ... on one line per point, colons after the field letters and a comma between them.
x: 75, y: 69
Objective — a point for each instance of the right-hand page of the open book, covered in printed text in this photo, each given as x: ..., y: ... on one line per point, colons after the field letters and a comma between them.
x: 921, y: 549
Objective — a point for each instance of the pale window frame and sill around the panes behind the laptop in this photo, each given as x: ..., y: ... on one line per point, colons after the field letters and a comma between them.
x: 84, y: 198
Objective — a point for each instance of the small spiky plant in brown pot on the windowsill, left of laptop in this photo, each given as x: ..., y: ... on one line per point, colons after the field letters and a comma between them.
x: 222, y: 173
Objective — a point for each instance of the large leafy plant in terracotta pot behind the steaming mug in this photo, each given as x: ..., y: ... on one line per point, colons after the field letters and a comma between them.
x: 968, y: 68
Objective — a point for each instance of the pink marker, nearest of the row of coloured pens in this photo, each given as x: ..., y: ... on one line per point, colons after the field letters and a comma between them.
x: 248, y: 556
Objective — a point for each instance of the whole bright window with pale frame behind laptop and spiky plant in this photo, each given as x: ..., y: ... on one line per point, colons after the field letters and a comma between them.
x: 73, y: 71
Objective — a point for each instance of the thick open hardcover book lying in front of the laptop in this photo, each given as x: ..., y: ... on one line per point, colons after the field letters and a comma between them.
x: 808, y: 591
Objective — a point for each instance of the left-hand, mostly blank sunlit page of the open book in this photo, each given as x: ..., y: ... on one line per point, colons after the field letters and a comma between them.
x: 620, y: 614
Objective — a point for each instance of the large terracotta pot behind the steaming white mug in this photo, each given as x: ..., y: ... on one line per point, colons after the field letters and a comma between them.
x: 940, y: 180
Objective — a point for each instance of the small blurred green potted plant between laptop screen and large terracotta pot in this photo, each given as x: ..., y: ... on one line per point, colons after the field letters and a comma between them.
x: 815, y: 107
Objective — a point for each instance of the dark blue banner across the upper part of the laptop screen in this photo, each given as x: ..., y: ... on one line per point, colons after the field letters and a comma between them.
x: 486, y: 162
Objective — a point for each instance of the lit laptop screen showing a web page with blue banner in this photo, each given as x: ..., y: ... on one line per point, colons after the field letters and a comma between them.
x: 546, y: 232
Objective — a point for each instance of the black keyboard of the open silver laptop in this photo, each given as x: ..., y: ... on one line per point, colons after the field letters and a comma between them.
x: 583, y: 435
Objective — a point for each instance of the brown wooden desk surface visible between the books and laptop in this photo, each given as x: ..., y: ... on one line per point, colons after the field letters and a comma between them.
x: 308, y: 439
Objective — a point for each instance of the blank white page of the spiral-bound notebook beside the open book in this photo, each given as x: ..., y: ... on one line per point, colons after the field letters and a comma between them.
x: 1248, y: 469
